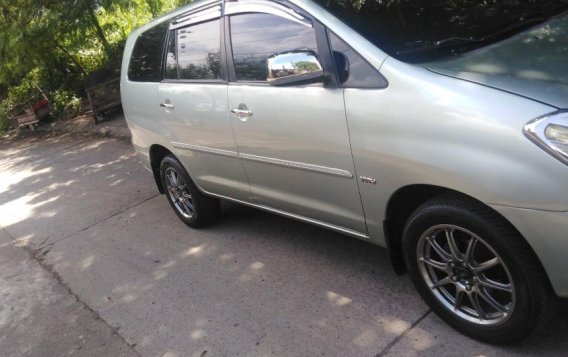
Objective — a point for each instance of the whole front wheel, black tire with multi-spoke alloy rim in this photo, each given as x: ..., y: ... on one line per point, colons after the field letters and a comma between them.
x: 530, y: 298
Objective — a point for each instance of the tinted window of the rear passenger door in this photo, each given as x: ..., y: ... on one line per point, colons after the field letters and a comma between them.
x: 199, y: 51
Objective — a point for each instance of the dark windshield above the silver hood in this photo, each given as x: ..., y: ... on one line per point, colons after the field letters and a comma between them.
x: 421, y: 30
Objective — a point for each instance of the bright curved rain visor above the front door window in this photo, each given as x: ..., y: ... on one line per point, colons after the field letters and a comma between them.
x: 267, y: 7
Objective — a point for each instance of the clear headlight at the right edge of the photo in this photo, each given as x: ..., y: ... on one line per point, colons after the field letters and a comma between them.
x: 551, y: 134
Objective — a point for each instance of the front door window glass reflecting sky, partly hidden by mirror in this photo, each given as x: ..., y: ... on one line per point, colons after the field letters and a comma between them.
x: 255, y: 37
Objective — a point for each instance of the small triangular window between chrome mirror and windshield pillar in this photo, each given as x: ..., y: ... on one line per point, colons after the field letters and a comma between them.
x: 361, y: 74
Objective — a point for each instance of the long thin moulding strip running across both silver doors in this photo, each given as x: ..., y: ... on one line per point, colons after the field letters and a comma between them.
x: 266, y: 160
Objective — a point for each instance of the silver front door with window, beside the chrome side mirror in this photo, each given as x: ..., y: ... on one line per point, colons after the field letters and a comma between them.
x: 293, y: 141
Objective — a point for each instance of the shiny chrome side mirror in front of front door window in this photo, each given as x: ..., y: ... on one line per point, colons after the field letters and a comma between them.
x: 294, y: 67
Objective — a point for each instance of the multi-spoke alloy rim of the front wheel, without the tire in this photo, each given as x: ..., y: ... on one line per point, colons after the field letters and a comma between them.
x: 466, y: 274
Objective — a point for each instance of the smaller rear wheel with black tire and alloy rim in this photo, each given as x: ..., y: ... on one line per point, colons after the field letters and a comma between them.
x: 205, y: 209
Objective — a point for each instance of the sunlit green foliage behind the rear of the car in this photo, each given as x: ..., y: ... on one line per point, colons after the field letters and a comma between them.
x: 56, y: 44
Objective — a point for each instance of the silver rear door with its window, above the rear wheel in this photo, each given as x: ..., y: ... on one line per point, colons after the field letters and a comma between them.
x: 193, y: 97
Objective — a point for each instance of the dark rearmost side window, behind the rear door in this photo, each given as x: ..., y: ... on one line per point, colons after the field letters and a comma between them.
x: 146, y: 60
